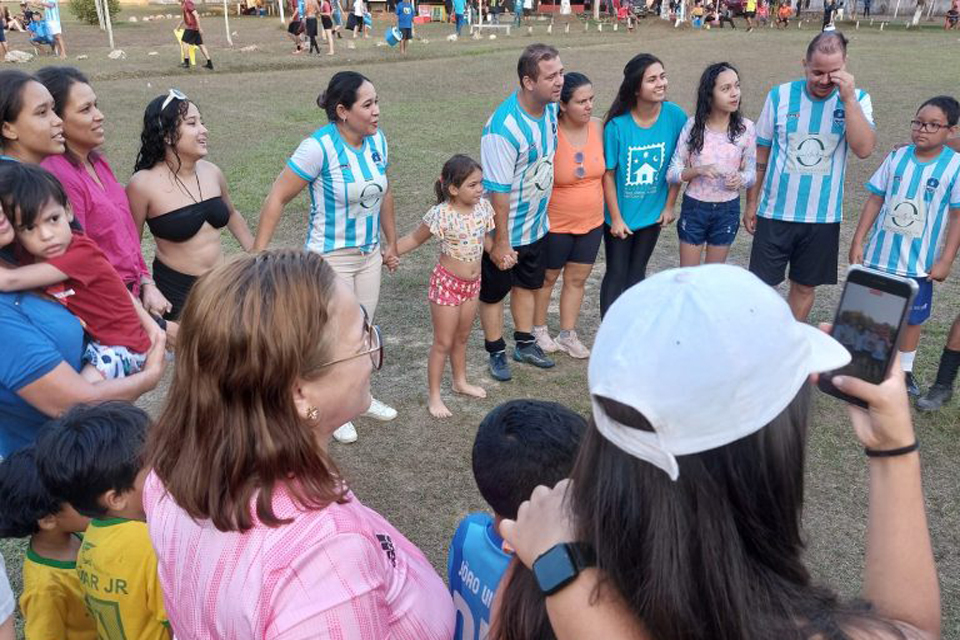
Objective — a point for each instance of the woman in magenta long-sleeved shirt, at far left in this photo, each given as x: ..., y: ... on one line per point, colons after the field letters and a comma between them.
x: 98, y: 201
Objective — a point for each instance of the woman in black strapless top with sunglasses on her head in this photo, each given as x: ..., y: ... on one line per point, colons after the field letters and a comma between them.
x: 182, y: 198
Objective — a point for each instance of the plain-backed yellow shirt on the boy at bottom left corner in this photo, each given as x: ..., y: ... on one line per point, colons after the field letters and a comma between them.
x: 52, y: 602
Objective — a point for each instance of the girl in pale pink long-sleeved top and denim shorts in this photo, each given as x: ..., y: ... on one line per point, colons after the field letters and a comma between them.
x: 716, y: 156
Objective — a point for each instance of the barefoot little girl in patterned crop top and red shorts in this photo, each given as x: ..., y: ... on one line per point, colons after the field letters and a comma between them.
x: 461, y: 220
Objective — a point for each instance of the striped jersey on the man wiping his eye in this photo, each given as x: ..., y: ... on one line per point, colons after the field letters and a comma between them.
x: 808, y: 153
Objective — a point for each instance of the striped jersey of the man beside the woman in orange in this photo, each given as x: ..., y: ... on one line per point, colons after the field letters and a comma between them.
x: 516, y: 152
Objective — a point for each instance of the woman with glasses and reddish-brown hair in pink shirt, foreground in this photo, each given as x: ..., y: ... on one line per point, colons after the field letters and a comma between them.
x: 257, y: 532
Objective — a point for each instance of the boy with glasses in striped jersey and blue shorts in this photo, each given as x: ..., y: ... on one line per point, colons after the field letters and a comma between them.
x: 913, y: 216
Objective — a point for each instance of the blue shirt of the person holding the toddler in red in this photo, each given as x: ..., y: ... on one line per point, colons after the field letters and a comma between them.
x: 43, y: 334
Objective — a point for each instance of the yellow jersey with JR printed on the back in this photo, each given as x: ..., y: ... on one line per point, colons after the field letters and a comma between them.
x: 118, y: 574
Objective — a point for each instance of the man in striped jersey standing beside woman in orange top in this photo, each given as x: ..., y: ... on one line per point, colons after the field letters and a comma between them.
x: 516, y: 152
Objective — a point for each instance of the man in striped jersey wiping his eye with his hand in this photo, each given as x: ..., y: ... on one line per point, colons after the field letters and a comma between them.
x: 803, y: 134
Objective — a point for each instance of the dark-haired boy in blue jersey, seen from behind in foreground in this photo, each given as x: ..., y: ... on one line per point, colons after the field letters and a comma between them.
x: 519, y: 445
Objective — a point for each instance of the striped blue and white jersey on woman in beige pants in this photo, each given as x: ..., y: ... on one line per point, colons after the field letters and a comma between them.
x: 346, y: 189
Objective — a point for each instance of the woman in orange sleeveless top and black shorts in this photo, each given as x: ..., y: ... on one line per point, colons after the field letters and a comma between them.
x: 575, y: 212
